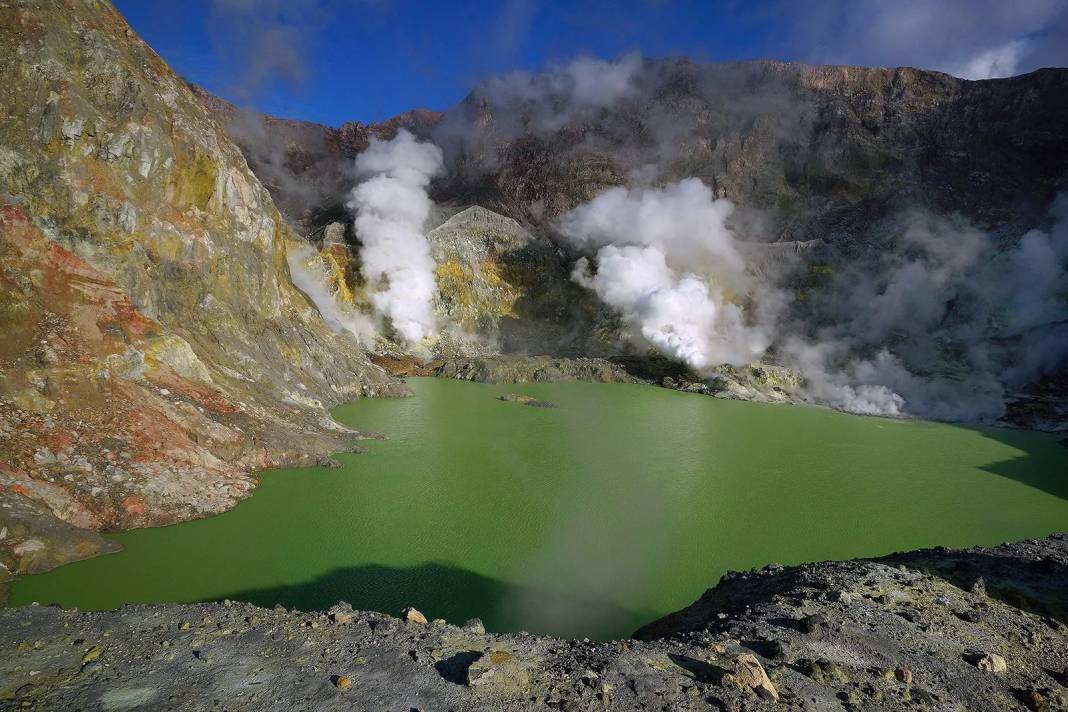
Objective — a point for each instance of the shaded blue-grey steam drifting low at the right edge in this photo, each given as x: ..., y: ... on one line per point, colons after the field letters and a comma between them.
x: 946, y: 323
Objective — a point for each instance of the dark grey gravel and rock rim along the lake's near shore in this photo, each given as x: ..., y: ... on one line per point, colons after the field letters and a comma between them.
x: 980, y: 629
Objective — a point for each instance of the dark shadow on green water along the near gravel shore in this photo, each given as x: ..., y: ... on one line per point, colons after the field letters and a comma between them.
x: 456, y: 595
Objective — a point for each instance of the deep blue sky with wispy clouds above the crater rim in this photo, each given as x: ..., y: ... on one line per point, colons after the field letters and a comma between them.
x: 333, y: 61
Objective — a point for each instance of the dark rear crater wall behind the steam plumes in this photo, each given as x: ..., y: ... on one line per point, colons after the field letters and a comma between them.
x: 824, y: 165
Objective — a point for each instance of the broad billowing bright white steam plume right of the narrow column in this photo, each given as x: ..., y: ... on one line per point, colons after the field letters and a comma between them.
x: 668, y: 262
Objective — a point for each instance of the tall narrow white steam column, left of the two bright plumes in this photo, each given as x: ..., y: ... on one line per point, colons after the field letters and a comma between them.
x: 391, y: 208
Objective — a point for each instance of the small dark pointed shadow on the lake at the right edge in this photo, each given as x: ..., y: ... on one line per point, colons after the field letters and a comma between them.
x: 1033, y: 468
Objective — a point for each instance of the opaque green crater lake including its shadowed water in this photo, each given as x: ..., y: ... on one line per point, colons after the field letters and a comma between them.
x: 591, y: 519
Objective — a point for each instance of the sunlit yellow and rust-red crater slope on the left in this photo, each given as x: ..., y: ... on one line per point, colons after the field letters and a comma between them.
x: 155, y: 351
